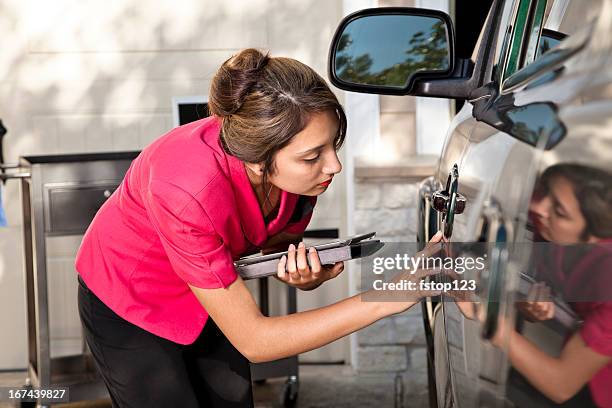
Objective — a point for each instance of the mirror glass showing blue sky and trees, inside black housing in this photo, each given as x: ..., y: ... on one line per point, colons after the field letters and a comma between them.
x: 387, y: 50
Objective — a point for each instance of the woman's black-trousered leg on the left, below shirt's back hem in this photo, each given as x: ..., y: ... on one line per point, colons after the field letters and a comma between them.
x: 139, y: 368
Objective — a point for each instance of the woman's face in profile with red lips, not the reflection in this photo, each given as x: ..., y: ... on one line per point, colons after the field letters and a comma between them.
x: 307, y: 164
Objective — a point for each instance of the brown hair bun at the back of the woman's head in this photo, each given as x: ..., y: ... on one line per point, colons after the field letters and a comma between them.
x: 234, y: 79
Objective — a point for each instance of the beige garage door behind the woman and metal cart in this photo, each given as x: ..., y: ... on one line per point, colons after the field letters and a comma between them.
x: 100, y: 75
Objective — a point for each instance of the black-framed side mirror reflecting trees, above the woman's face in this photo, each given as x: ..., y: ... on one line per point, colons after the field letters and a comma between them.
x: 384, y: 50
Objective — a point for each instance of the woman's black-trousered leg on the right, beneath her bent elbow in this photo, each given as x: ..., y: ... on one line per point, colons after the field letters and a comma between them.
x: 220, y: 375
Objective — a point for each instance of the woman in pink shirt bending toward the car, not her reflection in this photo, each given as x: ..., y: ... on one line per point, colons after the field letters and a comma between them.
x: 167, y: 319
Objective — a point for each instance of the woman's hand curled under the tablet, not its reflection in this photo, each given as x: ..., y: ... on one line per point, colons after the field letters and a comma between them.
x: 294, y: 270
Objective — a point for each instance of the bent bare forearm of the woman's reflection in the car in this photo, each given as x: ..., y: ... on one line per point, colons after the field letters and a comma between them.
x: 558, y: 378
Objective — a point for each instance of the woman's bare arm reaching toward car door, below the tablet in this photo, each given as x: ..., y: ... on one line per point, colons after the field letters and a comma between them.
x: 260, y: 338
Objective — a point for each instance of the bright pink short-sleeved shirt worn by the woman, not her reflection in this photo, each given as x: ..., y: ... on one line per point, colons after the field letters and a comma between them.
x: 183, y: 213
